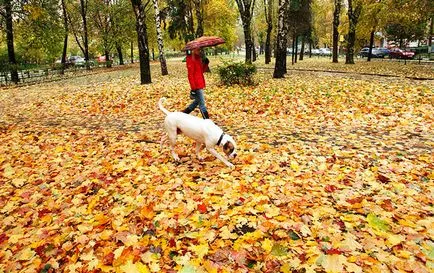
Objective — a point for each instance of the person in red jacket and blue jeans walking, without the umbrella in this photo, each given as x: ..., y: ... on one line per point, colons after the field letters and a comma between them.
x: 195, y: 69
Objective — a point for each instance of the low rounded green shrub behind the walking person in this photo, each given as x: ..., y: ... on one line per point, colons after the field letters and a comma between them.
x: 237, y: 73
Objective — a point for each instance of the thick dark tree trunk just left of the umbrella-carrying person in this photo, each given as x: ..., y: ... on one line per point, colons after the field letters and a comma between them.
x: 142, y: 37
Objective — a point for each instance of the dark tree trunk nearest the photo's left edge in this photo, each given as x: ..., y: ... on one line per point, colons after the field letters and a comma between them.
x: 13, y: 66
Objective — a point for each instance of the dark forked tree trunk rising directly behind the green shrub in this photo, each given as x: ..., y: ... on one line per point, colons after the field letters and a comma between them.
x: 246, y: 8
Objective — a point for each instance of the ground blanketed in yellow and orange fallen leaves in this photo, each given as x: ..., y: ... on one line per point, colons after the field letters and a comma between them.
x: 334, y: 174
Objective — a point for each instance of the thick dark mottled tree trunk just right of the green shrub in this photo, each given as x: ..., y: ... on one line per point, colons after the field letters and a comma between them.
x: 282, y: 33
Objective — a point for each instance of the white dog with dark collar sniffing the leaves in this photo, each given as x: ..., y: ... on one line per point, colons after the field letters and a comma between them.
x: 203, y: 131
